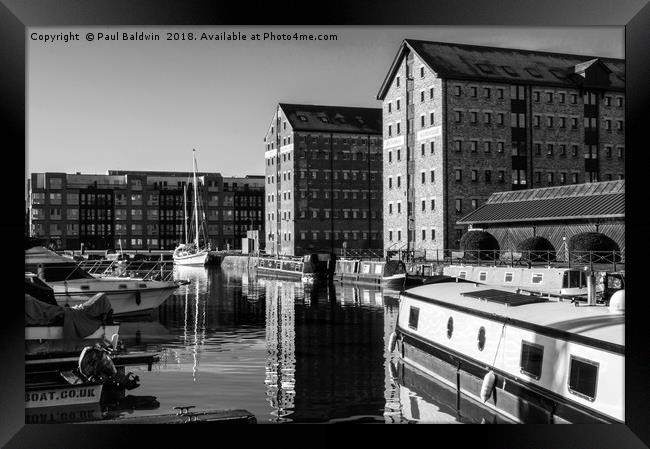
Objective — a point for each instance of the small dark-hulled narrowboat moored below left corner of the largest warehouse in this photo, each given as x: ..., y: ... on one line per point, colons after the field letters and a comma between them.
x: 376, y: 272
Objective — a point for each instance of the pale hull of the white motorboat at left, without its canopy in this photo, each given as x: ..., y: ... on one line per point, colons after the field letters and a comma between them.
x: 126, y: 296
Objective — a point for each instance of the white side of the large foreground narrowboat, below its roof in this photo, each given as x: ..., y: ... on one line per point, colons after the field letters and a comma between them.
x: 430, y: 347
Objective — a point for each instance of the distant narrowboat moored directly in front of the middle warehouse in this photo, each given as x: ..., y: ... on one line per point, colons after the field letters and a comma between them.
x: 306, y: 268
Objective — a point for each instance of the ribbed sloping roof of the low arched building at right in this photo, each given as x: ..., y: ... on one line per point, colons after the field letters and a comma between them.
x: 589, y: 201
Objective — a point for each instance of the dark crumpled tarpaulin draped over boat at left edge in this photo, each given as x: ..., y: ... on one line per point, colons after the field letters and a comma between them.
x: 78, y: 322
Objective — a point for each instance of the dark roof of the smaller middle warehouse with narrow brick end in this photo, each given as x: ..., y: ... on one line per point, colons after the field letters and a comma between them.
x: 341, y: 119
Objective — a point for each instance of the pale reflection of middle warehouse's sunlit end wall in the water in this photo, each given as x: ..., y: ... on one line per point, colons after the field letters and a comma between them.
x: 280, y: 342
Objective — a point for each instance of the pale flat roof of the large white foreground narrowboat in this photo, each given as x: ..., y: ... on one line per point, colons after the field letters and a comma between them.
x: 593, y: 322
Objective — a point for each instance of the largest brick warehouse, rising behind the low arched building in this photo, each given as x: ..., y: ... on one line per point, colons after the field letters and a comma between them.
x: 462, y: 121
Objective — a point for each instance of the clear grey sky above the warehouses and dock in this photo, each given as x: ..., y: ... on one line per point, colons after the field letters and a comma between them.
x: 144, y: 105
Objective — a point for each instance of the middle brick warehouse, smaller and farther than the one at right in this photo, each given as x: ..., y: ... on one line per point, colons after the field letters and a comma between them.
x: 323, y: 179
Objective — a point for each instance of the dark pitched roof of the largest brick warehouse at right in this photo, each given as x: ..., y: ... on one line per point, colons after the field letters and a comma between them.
x: 506, y: 65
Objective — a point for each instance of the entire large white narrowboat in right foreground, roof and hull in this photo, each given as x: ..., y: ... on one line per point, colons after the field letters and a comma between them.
x: 532, y: 359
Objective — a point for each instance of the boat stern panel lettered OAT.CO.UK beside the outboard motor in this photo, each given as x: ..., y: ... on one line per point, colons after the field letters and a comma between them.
x: 62, y: 395
